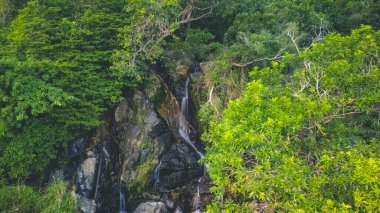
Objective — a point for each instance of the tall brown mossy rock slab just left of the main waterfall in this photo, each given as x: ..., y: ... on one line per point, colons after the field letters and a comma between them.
x: 142, y: 136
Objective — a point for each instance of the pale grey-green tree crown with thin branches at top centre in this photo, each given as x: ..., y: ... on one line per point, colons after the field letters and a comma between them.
x: 149, y: 23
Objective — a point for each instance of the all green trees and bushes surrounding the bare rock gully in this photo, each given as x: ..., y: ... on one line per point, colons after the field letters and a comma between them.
x: 303, y: 136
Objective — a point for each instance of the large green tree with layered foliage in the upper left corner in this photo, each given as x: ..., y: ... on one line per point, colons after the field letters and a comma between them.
x: 49, y: 44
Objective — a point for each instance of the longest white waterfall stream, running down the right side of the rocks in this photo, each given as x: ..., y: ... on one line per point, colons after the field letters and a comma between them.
x: 184, y: 133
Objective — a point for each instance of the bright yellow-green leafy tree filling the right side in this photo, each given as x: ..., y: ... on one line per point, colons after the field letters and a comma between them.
x: 304, y: 140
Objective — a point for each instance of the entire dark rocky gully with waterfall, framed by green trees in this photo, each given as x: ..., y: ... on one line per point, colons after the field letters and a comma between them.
x: 145, y: 144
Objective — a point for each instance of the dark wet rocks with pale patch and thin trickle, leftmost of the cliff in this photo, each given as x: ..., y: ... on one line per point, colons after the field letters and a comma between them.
x: 93, y: 168
